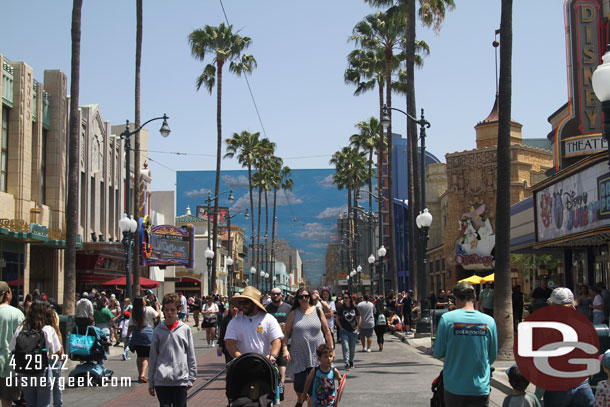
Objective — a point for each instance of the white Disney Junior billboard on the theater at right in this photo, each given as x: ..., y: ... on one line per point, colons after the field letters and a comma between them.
x: 575, y: 204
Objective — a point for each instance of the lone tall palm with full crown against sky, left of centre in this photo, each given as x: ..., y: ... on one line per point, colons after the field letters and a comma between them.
x: 225, y: 46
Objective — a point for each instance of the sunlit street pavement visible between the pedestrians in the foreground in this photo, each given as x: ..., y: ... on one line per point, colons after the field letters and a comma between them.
x: 401, y: 374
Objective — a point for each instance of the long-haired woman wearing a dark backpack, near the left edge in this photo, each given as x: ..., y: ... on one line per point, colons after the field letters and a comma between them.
x: 34, y: 346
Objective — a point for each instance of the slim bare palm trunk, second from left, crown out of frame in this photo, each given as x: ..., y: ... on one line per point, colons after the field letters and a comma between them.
x: 136, y: 161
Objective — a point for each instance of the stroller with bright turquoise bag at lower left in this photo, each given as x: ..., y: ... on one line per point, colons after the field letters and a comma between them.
x: 89, y: 345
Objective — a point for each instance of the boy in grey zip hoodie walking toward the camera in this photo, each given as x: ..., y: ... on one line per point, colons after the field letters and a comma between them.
x: 172, y: 370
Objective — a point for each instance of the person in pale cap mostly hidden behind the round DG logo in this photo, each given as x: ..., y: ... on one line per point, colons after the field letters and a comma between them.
x: 581, y: 395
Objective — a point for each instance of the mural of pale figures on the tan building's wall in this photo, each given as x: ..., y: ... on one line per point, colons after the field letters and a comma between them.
x: 474, y: 249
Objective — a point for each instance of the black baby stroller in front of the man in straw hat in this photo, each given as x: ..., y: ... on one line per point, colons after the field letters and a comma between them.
x: 252, y: 381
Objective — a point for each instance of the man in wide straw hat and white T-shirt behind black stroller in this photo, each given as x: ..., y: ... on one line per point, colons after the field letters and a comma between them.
x: 254, y: 330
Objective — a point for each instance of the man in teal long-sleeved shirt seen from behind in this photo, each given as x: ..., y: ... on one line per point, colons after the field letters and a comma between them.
x: 468, y: 341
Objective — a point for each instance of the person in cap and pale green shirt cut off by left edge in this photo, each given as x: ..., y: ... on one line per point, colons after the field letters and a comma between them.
x: 10, y: 319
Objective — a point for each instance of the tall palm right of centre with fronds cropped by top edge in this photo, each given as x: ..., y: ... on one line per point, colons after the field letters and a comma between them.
x: 431, y: 13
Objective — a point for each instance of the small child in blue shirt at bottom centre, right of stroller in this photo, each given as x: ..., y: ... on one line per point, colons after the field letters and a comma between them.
x: 323, y: 378
